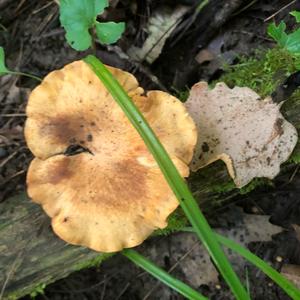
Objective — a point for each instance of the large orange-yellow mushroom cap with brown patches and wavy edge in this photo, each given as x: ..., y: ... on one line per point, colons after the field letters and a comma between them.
x: 92, y: 173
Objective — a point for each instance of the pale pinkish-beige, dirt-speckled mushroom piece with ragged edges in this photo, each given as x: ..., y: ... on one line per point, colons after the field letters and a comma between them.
x: 249, y: 134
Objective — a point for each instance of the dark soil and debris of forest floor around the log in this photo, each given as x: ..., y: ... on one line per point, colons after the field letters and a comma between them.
x: 34, y: 42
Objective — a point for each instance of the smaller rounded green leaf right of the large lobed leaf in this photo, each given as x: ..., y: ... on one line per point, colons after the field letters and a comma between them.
x: 109, y: 32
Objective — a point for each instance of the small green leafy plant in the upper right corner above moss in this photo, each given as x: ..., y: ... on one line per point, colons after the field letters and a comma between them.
x: 289, y: 41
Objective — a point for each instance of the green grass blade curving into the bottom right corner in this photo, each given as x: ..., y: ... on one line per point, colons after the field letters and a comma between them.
x: 283, y: 282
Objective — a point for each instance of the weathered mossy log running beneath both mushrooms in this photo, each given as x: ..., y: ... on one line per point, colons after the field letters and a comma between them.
x: 31, y: 256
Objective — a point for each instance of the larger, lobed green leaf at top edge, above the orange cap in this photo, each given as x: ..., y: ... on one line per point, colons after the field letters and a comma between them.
x: 77, y: 17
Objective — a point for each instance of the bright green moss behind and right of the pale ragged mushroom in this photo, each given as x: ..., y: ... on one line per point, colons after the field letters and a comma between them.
x: 263, y: 73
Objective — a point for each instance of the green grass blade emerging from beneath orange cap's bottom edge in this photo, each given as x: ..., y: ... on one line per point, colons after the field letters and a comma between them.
x: 162, y: 275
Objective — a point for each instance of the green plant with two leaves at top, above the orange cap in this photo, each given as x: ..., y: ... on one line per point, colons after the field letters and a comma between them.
x: 78, y: 17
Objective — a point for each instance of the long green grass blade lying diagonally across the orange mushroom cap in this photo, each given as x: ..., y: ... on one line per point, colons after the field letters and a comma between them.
x: 174, y: 179
